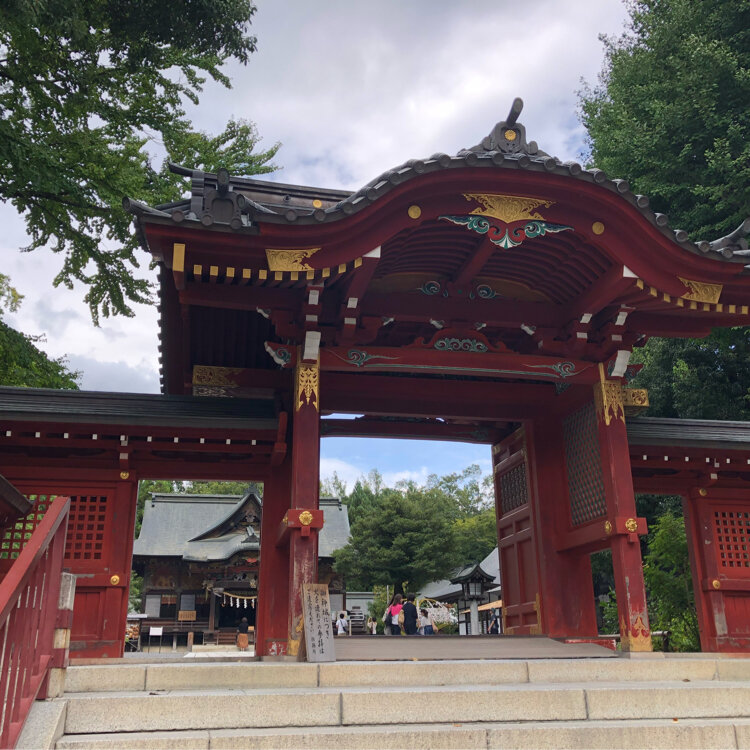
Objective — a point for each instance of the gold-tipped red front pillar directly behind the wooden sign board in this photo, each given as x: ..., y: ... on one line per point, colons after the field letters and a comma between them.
x: 303, y: 545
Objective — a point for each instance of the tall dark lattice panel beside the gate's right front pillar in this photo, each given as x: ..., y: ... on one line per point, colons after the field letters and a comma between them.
x: 584, y: 464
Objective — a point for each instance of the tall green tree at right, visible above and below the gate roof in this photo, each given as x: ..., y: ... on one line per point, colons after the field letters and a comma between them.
x: 671, y: 114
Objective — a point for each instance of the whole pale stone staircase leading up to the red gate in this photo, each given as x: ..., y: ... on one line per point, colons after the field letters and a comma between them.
x: 693, y: 702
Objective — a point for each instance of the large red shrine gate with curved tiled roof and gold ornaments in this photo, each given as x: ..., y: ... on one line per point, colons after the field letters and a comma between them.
x: 494, y: 296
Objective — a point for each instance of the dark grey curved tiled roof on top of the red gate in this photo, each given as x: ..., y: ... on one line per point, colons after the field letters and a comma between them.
x: 245, y: 202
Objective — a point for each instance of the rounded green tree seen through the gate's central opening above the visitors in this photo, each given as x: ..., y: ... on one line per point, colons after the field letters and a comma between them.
x: 406, y: 538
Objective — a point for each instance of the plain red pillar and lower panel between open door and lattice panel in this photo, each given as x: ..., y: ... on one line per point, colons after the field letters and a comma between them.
x: 566, y: 592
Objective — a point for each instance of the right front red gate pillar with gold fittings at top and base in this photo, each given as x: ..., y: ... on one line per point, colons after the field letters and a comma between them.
x: 622, y: 523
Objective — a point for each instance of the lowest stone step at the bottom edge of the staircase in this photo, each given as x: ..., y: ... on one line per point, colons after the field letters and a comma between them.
x: 607, y: 735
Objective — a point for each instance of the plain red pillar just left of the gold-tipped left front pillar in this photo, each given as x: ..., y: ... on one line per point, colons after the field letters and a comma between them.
x: 273, y: 585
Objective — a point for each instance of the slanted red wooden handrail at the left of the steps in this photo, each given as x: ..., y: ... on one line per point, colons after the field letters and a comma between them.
x: 29, y: 596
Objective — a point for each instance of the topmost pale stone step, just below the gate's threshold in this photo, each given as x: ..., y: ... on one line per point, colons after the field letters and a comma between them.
x: 260, y: 675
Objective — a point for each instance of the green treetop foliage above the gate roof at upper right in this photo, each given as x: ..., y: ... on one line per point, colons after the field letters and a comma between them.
x: 671, y: 112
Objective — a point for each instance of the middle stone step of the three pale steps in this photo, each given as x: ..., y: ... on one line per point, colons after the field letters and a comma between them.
x: 329, y: 706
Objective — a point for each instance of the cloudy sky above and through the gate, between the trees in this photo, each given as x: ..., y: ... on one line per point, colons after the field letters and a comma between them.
x: 351, y: 88
